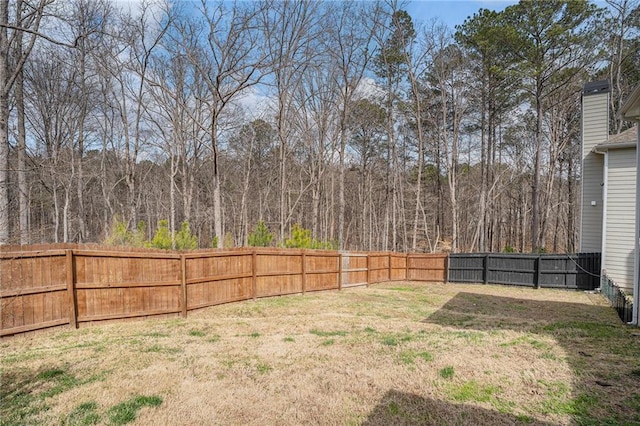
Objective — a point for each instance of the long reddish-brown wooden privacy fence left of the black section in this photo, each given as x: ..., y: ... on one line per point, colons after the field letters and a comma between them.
x: 47, y: 288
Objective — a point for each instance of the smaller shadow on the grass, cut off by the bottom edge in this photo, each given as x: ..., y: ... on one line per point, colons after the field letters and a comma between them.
x: 400, y: 408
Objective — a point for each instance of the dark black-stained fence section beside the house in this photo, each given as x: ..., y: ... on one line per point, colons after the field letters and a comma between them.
x: 569, y: 271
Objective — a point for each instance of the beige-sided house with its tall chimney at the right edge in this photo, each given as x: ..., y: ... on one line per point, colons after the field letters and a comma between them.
x: 609, y: 164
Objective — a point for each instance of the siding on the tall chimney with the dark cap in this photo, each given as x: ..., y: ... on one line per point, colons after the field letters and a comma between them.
x: 594, y: 131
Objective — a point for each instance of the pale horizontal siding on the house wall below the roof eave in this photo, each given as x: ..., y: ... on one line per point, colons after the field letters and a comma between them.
x: 620, y: 217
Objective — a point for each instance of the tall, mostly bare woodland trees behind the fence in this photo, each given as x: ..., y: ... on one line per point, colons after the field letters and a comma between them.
x: 349, y: 119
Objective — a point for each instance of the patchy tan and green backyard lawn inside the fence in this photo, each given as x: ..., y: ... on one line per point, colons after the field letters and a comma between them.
x: 394, y: 353
